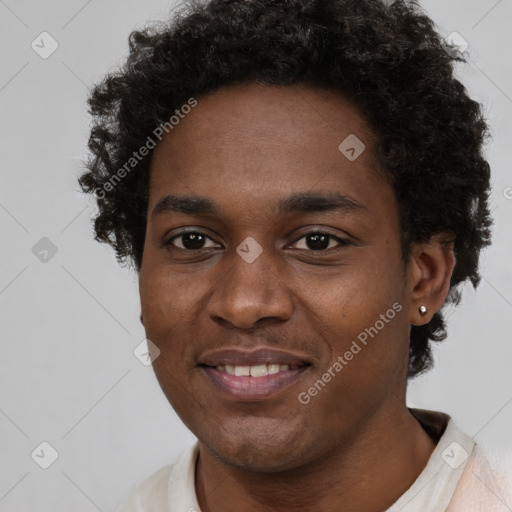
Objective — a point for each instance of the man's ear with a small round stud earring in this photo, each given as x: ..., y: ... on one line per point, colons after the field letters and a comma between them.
x: 429, y: 273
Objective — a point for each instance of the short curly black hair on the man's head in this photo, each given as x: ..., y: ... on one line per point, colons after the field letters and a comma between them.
x: 387, y: 58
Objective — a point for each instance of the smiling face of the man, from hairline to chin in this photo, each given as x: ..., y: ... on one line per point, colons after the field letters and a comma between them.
x: 263, y: 234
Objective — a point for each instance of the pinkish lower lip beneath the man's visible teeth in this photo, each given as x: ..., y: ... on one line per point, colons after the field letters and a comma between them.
x: 252, y: 388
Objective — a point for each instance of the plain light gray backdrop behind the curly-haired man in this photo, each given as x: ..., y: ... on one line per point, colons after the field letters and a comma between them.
x: 69, y: 325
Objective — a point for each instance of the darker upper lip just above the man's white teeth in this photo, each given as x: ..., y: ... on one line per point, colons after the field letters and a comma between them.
x: 264, y: 355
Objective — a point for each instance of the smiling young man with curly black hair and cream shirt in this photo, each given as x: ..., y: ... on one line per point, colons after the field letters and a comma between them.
x: 287, y: 178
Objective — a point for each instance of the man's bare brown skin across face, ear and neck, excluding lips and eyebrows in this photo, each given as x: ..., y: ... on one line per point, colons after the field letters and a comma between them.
x: 355, y: 445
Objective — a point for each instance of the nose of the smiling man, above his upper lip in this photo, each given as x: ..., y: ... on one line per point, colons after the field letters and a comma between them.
x: 249, y: 294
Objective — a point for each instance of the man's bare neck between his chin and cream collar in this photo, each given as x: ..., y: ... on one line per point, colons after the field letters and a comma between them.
x: 368, y: 473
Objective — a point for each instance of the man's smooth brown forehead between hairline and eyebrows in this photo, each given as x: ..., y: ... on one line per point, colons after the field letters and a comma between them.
x: 265, y: 140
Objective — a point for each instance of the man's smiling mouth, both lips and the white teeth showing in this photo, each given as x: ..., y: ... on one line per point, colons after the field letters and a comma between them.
x: 252, y: 376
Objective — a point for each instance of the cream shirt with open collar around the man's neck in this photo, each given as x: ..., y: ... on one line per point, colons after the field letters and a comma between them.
x: 457, y: 478
